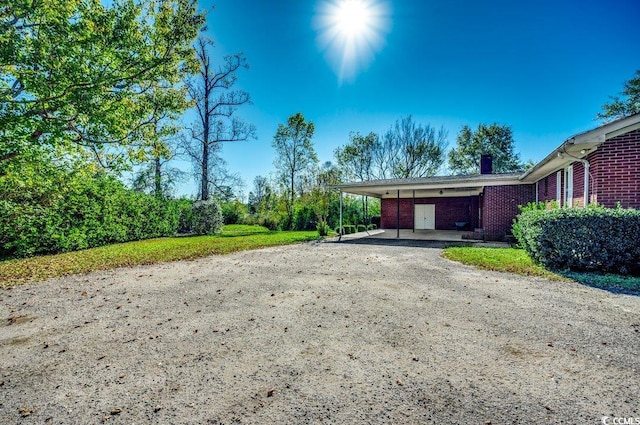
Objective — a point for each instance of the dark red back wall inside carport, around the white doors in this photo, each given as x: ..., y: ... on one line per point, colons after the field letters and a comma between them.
x: 449, y: 211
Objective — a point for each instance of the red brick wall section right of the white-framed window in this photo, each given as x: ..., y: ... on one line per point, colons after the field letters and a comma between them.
x: 615, y: 167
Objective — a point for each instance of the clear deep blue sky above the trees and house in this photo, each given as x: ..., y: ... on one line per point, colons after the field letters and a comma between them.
x: 542, y: 67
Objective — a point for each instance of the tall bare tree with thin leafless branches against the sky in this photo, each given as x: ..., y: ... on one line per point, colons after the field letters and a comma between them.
x: 215, y: 102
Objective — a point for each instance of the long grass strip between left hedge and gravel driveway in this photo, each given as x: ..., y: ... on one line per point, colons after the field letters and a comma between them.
x: 233, y: 238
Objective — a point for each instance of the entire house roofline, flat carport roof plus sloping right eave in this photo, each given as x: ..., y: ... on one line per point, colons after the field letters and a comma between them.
x: 573, y: 149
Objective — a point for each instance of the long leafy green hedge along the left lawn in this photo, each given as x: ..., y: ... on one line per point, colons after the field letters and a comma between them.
x: 60, y: 210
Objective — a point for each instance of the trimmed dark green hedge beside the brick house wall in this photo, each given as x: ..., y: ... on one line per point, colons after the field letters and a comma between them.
x: 589, y: 239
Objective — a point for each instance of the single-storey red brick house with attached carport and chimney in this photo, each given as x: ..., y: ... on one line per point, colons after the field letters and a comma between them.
x: 600, y: 165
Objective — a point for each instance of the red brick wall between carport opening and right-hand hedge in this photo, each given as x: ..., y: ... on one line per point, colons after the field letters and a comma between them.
x: 500, y: 207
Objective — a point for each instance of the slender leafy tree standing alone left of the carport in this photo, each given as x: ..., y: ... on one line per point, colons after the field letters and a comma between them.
x: 295, y: 152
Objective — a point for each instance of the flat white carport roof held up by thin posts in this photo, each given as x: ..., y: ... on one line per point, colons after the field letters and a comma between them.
x: 379, y: 188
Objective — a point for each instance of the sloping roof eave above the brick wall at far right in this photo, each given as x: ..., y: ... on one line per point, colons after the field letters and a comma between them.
x: 579, y: 146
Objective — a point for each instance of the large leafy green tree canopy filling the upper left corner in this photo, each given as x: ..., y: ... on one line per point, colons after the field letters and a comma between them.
x: 75, y: 74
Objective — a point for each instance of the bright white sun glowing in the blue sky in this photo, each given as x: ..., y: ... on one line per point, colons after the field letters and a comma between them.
x: 350, y: 32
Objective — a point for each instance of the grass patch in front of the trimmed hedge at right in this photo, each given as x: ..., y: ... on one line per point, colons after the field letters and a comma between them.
x: 517, y: 261
